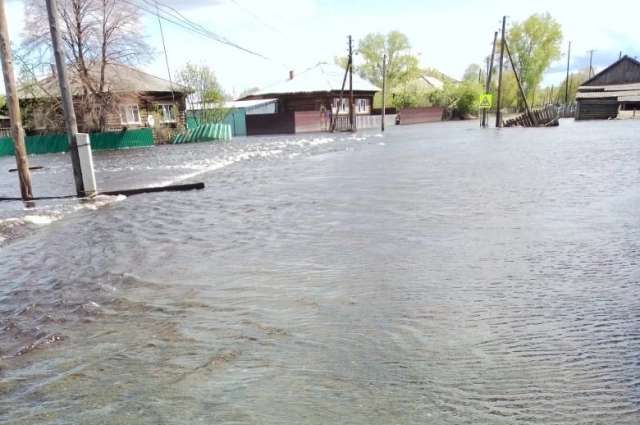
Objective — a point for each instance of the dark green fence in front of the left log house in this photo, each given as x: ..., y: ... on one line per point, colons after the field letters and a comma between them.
x: 57, y: 143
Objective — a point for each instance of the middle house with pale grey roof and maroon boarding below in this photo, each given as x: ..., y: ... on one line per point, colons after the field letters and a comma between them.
x: 303, y: 101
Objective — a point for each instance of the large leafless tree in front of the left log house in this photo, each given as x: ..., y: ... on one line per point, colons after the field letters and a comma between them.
x: 95, y: 33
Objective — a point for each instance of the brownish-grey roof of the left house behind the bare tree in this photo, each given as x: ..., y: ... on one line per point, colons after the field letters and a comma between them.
x: 118, y: 78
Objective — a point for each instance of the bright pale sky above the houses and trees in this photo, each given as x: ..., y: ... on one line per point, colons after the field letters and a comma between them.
x: 296, y: 34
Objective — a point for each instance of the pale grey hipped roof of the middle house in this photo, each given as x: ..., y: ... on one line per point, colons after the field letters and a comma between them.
x: 320, y: 78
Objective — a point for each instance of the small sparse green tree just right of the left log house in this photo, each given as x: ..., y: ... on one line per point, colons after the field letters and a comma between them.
x: 205, y: 93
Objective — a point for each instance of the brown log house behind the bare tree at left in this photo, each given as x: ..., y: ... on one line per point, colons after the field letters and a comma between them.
x: 127, y: 98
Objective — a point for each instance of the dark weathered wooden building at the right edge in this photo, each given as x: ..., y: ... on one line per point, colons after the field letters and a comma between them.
x: 612, y: 92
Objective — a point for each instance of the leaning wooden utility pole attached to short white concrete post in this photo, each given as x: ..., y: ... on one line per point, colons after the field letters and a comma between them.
x: 65, y: 94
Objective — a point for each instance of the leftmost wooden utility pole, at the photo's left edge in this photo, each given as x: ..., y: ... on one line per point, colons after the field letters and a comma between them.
x: 14, y: 107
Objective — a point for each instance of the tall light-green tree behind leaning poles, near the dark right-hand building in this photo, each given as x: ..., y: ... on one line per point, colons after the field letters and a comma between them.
x: 534, y: 45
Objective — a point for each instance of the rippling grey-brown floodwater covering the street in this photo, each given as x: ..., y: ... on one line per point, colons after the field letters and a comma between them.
x: 433, y: 274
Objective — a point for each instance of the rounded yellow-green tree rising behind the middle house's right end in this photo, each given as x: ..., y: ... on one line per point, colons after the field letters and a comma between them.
x: 402, y: 65
